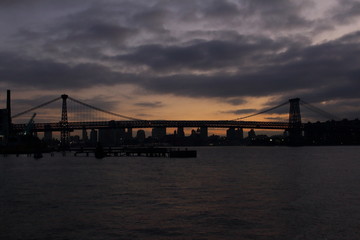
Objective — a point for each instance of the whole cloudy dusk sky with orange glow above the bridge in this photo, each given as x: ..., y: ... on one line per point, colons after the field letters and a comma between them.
x: 188, y: 59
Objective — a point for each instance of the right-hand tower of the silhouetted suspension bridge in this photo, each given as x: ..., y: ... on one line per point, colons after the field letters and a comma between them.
x: 295, y: 129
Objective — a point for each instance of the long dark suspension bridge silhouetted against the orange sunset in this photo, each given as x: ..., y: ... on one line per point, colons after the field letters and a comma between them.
x: 65, y: 125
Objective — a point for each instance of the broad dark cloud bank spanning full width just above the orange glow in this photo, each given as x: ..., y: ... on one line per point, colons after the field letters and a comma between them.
x: 329, y: 69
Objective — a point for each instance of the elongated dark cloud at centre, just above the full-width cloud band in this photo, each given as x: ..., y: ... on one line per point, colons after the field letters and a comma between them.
x: 205, y: 54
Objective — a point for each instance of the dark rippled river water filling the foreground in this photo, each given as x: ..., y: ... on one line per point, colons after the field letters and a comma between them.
x: 225, y: 193
